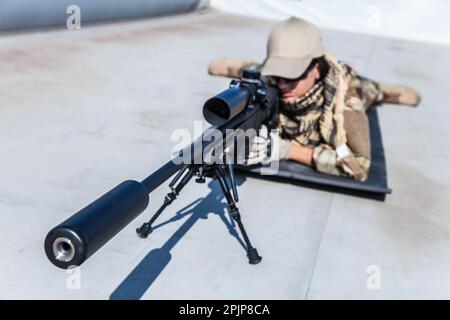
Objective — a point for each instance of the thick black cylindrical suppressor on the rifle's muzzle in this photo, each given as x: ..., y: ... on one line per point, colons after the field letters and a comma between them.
x: 77, y: 238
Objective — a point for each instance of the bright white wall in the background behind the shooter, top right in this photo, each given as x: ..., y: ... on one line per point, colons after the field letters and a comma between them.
x: 421, y: 20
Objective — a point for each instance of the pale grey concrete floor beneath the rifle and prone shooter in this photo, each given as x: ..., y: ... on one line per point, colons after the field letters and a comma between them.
x: 81, y: 111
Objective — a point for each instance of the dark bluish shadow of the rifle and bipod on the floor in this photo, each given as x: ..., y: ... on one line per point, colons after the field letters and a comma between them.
x: 147, y: 271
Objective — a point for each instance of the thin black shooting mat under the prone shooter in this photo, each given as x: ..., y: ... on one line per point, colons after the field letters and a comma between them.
x: 374, y: 187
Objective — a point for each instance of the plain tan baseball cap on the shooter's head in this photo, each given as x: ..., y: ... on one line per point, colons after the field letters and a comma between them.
x: 291, y: 47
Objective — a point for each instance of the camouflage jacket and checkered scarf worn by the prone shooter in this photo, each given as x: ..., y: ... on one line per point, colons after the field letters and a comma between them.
x: 321, y: 120
